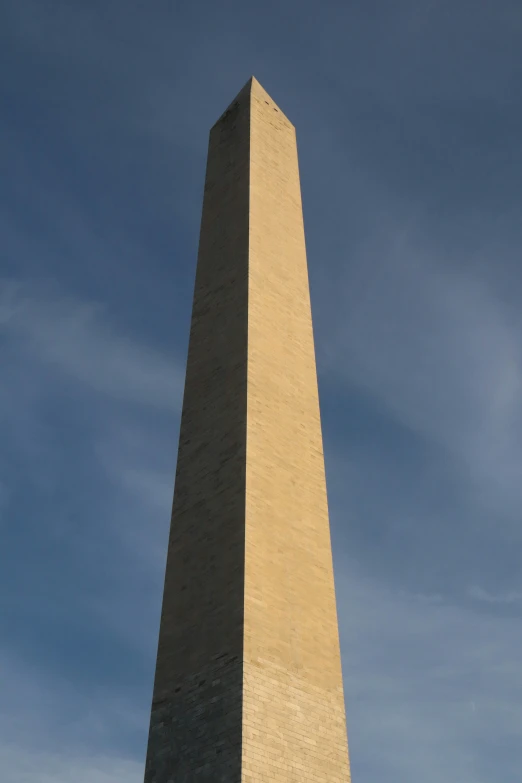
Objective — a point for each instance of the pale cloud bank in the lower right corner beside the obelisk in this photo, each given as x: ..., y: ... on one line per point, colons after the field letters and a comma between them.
x: 431, y: 684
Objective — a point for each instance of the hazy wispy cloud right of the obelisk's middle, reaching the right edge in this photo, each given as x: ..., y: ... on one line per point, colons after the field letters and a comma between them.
x: 434, y: 345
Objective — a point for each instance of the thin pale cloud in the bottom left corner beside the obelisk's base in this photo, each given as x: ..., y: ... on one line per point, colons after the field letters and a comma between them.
x: 55, y: 732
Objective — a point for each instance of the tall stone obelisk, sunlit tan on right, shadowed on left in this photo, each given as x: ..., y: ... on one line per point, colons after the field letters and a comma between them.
x: 248, y: 685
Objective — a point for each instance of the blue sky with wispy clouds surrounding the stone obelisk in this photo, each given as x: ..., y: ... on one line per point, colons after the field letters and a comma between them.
x: 409, y: 126
